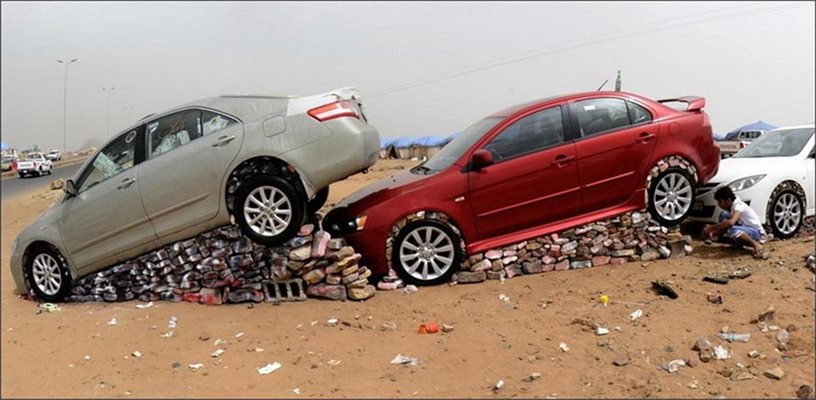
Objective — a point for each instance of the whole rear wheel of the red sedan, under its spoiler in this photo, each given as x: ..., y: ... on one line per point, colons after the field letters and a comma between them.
x: 671, y: 195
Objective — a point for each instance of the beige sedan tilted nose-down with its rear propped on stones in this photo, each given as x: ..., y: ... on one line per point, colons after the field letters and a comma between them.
x: 265, y: 161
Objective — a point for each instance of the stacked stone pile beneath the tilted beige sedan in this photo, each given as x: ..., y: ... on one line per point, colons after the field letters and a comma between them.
x: 222, y: 266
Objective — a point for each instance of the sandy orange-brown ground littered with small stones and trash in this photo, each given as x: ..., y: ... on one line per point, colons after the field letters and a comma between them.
x: 44, y: 355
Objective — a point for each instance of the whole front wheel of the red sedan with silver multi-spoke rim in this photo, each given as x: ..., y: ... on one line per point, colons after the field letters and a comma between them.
x: 426, y: 253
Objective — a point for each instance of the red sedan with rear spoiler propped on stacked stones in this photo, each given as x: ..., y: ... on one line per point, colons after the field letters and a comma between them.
x: 529, y: 170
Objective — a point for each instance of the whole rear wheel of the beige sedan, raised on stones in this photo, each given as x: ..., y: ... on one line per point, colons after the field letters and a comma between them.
x: 268, y: 210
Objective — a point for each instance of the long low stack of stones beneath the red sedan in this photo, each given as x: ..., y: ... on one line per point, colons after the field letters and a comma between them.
x: 630, y: 237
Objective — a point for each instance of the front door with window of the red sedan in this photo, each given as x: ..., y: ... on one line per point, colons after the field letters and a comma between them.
x: 533, y: 180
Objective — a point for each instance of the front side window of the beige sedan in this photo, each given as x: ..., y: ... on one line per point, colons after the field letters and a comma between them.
x: 117, y: 157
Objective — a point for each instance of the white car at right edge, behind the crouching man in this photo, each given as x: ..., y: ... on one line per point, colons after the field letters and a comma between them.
x: 774, y: 175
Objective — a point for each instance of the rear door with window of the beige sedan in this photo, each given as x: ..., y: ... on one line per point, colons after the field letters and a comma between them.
x: 188, y: 154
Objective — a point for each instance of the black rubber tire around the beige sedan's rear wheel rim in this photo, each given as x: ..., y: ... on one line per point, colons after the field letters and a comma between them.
x: 296, y: 208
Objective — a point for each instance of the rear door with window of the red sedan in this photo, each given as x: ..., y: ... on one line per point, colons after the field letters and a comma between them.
x: 614, y: 148
